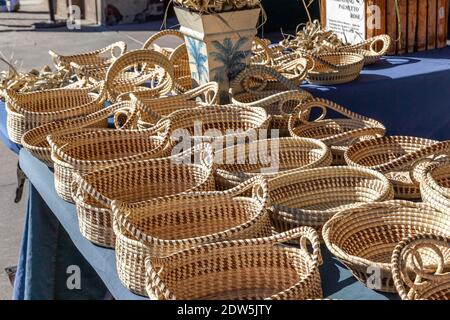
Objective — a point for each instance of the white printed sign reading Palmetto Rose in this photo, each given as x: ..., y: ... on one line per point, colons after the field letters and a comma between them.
x: 347, y: 18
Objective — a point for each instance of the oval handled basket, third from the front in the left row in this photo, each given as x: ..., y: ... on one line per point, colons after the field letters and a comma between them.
x: 135, y: 181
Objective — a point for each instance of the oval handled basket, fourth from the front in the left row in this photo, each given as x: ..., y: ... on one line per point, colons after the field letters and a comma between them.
x: 88, y: 150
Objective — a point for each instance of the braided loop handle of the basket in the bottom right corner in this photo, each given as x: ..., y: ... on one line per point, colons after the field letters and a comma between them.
x: 407, y: 253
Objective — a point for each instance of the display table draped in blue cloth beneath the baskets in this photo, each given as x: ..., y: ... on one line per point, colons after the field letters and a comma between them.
x: 410, y: 95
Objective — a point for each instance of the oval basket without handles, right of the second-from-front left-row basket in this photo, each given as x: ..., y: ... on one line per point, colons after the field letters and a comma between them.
x: 311, y: 197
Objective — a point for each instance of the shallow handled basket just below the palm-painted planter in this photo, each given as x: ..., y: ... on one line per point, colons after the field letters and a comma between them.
x: 152, y: 109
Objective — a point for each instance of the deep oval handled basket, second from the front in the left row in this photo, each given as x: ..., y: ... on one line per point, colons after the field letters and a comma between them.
x: 167, y: 225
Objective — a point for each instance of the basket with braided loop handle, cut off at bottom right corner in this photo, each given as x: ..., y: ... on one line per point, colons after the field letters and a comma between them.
x: 411, y: 279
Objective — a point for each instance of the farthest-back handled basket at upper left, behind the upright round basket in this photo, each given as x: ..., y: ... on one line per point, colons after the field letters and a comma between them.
x: 93, y: 64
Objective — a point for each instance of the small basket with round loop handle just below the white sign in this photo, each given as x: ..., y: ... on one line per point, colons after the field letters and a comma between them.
x: 372, y: 49
